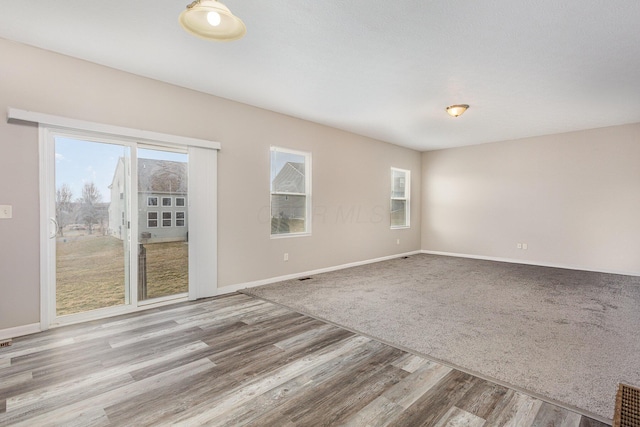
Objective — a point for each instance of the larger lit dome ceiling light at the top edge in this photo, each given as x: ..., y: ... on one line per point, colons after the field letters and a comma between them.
x: 211, y: 20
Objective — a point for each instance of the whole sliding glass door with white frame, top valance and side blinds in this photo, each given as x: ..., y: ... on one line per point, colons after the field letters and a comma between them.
x: 117, y: 209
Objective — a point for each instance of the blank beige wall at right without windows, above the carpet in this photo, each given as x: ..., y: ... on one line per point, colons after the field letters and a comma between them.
x: 574, y: 198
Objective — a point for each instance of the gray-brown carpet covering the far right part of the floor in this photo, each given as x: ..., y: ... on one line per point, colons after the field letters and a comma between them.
x: 571, y: 336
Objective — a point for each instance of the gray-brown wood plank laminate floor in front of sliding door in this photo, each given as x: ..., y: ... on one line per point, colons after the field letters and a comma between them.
x: 236, y: 360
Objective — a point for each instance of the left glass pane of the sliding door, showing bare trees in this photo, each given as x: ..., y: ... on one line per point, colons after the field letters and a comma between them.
x: 92, y: 234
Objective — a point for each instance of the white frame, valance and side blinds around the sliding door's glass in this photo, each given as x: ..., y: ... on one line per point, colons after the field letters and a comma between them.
x: 203, y: 271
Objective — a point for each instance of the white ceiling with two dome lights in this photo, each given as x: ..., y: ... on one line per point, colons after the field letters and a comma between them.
x: 377, y: 68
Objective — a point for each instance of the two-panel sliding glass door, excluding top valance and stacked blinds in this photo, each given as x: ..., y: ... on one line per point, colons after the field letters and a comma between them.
x: 118, y: 226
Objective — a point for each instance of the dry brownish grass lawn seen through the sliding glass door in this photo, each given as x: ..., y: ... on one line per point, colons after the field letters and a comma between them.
x: 90, y: 272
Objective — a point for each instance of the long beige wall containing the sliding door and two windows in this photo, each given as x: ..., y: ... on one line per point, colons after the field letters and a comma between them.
x: 350, y: 173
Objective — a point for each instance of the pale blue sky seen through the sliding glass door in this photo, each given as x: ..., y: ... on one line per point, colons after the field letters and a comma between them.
x: 78, y: 162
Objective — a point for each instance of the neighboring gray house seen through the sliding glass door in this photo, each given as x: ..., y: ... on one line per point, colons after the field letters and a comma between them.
x: 162, y: 201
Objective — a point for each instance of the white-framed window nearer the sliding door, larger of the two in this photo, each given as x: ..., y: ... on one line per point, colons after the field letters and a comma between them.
x: 290, y: 192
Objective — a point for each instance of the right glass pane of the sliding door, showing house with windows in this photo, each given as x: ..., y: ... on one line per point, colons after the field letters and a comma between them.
x: 163, y: 224
